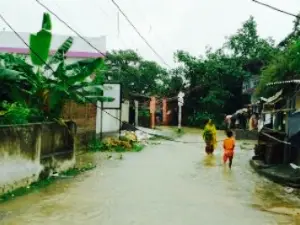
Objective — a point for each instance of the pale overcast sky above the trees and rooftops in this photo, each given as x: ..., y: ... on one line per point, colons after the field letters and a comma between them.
x: 168, y: 25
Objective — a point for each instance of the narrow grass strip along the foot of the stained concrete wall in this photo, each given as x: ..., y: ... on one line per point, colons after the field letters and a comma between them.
x: 40, y: 184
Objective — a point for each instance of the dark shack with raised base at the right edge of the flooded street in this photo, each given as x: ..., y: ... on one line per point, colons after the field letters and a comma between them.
x: 277, y: 153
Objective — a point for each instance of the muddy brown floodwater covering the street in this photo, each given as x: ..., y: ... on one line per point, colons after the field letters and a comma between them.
x: 166, y: 184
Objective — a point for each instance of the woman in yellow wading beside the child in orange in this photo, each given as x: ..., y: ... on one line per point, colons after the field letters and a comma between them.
x: 210, y: 137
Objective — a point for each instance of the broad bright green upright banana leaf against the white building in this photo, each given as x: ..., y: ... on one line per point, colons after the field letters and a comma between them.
x: 40, y: 47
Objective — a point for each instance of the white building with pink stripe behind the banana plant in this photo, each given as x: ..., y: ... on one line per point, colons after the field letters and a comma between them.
x: 10, y: 43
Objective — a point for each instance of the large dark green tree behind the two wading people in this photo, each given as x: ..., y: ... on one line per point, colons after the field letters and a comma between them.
x: 220, y: 74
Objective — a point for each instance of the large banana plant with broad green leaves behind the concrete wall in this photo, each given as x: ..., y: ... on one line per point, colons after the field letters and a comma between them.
x: 50, y: 82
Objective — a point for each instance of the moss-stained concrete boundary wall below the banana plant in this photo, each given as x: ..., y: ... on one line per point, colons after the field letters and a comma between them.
x: 27, y: 150
